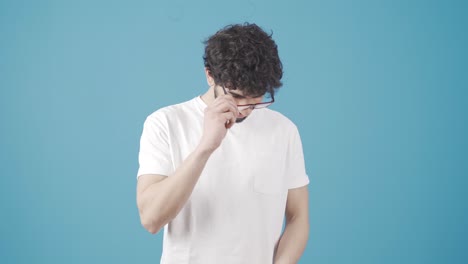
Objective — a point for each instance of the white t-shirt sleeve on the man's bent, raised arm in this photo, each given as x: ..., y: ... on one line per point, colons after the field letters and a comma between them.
x: 154, y: 156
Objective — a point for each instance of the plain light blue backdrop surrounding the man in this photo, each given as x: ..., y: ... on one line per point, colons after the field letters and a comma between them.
x: 378, y: 90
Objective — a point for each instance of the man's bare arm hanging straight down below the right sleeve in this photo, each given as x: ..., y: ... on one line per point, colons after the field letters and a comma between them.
x: 294, y: 239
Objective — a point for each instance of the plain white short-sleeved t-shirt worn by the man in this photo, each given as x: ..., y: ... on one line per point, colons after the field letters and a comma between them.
x: 236, y: 211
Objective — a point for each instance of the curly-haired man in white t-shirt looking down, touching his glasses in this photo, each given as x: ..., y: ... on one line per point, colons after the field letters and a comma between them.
x: 220, y: 172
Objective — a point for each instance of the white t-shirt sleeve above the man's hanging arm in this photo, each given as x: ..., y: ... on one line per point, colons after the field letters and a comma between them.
x: 297, y: 176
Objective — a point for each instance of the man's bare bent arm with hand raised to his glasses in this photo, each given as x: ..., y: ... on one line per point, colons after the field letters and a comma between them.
x: 160, y: 198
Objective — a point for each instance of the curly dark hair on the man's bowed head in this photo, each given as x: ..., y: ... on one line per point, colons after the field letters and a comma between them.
x: 244, y: 57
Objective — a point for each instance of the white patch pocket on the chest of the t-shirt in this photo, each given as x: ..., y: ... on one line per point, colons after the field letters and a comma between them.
x: 269, y: 173
